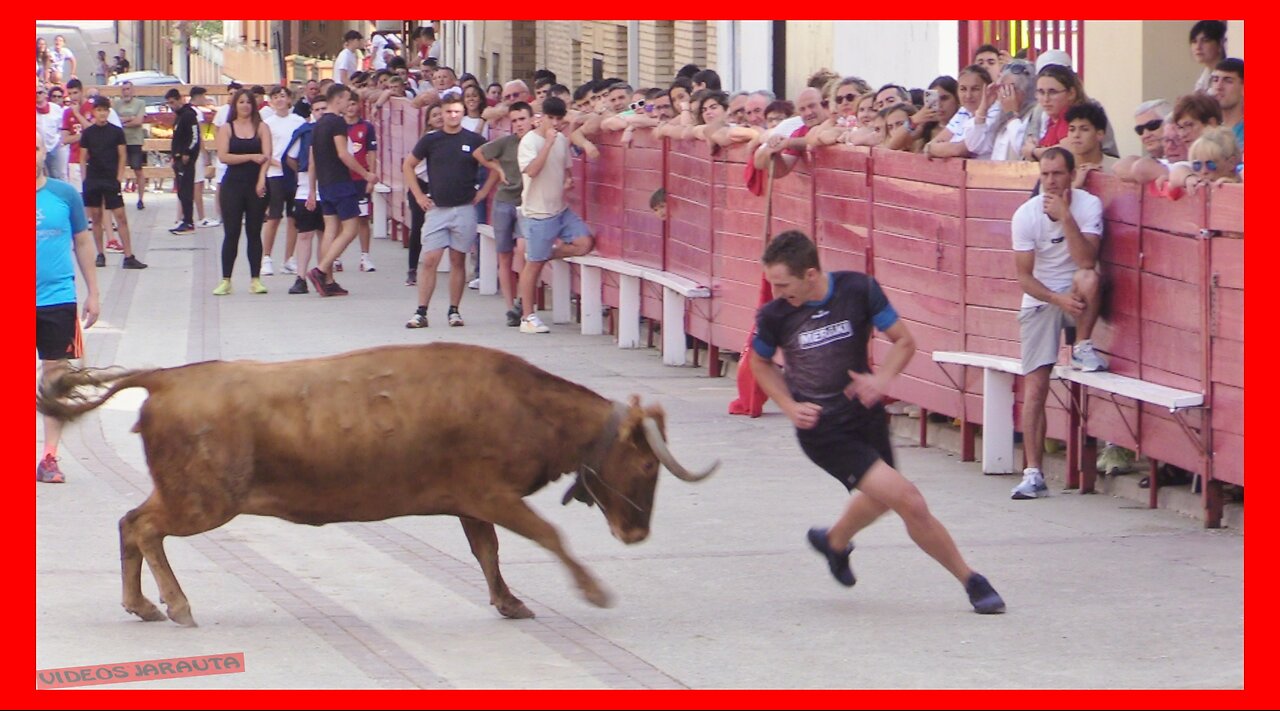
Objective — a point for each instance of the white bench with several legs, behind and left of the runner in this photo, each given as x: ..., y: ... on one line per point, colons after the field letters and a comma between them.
x: 676, y: 291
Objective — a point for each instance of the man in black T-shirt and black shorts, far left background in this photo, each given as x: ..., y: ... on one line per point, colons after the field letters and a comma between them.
x: 103, y: 166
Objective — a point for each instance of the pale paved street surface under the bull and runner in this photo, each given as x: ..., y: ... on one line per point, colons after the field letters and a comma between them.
x: 726, y: 594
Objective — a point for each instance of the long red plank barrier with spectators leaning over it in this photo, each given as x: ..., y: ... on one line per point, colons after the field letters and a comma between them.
x: 936, y: 235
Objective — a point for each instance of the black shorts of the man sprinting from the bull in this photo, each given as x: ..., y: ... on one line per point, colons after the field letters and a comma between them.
x: 848, y: 441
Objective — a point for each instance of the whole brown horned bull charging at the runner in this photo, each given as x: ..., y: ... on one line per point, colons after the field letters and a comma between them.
x: 368, y: 436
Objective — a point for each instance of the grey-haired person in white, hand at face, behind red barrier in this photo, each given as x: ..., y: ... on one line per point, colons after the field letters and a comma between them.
x: 1000, y: 124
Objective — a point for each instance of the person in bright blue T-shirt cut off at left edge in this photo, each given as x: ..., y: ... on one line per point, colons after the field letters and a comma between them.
x: 63, y: 243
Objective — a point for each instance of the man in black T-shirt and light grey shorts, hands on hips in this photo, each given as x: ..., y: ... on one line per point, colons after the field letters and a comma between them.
x: 451, y: 218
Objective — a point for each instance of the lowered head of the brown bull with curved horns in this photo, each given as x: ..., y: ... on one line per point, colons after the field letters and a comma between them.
x: 624, y: 476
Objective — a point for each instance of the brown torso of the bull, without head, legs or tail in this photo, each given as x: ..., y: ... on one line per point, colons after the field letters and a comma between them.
x: 365, y: 436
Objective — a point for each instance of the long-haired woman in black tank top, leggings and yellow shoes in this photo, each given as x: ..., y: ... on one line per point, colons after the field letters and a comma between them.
x: 245, y: 147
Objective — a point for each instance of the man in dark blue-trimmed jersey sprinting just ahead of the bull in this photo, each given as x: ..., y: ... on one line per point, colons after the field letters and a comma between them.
x: 824, y: 323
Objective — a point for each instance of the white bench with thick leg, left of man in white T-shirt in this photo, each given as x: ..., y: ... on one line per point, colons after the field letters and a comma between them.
x: 998, y: 407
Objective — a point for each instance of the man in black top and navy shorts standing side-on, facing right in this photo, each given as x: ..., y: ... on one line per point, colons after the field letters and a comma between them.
x: 332, y: 167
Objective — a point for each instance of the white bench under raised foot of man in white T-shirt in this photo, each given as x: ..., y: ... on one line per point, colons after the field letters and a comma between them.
x: 1133, y: 389
